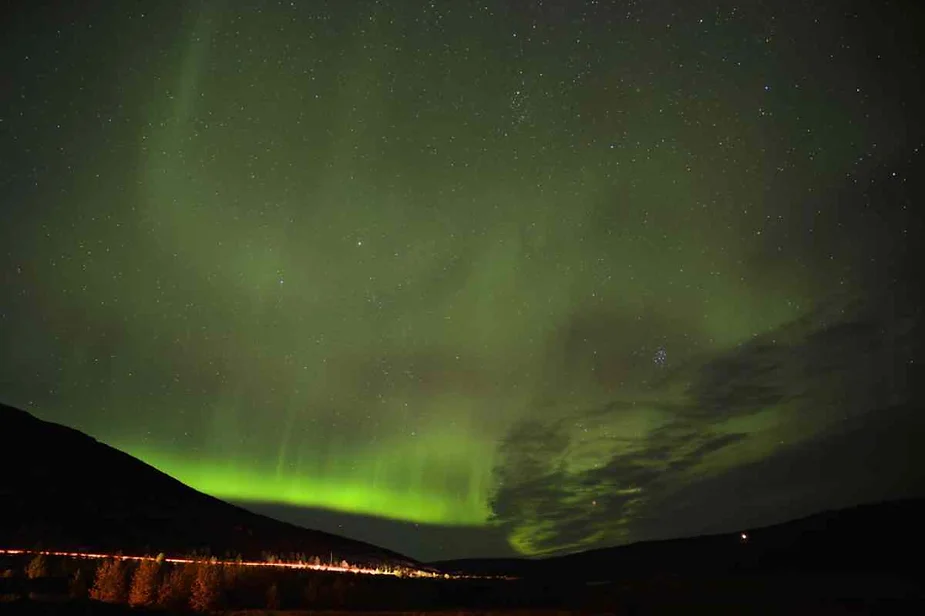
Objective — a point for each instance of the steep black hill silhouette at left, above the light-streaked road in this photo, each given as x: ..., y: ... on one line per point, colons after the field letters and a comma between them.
x: 60, y: 489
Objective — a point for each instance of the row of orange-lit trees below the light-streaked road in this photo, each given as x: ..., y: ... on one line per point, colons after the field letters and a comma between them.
x: 207, y: 585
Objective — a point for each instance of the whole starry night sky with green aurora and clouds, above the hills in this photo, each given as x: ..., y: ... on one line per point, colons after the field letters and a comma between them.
x: 474, y: 278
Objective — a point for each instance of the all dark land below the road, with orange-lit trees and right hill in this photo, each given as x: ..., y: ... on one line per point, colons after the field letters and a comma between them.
x: 864, y: 560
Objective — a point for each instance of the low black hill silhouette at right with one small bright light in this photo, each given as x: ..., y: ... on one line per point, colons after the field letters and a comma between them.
x: 877, y: 538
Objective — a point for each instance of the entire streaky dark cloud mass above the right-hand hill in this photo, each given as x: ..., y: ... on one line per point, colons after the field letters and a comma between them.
x: 836, y: 377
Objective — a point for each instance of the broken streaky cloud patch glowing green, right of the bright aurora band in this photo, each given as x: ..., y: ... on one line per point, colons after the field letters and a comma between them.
x: 585, y: 507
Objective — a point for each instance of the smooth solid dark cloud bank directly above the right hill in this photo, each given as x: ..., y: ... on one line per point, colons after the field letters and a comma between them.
x: 866, y: 458
